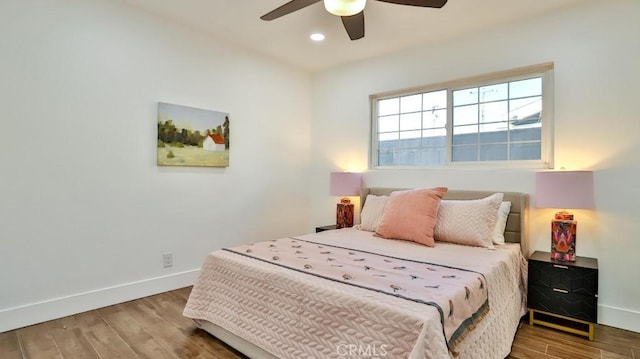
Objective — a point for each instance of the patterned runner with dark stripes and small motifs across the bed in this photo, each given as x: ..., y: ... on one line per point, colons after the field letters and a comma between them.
x: 459, y: 295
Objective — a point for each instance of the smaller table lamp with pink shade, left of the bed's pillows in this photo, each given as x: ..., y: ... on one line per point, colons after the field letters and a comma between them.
x: 345, y: 184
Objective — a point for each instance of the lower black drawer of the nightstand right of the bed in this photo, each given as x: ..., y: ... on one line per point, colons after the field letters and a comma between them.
x: 559, y: 301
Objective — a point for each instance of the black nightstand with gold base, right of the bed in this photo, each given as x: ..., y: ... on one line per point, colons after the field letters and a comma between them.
x: 563, y: 295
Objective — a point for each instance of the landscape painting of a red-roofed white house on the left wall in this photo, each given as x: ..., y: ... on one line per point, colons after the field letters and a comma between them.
x: 189, y: 136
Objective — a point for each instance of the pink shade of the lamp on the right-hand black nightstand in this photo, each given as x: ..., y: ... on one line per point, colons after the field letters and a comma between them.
x: 565, y: 190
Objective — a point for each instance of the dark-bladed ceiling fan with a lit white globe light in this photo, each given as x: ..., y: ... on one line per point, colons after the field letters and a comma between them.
x: 350, y: 11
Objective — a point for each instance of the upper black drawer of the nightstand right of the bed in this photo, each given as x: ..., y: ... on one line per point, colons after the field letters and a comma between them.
x: 564, y: 277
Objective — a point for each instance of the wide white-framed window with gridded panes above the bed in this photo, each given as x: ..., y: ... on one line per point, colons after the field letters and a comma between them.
x: 503, y: 118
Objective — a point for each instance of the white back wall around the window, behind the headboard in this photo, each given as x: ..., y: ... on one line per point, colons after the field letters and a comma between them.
x: 596, y: 51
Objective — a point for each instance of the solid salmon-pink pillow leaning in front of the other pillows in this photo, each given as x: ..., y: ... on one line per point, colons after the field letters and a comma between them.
x: 410, y: 215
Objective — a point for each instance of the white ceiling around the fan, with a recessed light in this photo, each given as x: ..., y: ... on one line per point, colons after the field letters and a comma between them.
x: 389, y: 27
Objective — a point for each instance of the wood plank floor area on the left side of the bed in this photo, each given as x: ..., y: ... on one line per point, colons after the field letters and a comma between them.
x: 151, y: 327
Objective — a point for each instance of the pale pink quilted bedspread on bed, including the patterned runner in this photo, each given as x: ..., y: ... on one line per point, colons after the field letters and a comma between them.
x: 292, y: 314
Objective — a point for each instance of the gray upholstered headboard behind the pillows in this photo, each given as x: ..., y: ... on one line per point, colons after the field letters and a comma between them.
x: 516, y: 230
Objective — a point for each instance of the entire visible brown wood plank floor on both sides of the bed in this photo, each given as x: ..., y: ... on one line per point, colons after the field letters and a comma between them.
x: 154, y: 327
